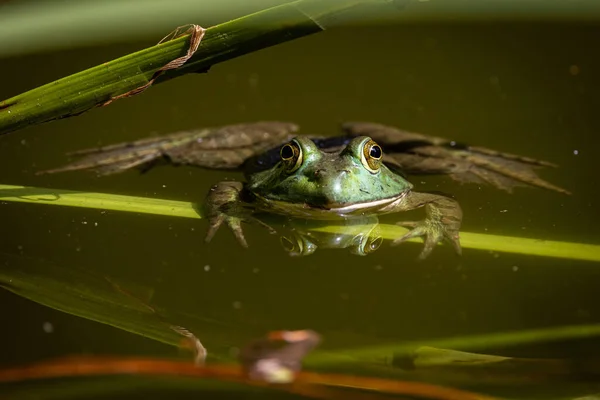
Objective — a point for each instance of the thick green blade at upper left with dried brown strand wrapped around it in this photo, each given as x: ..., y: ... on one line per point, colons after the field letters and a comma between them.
x: 85, y: 90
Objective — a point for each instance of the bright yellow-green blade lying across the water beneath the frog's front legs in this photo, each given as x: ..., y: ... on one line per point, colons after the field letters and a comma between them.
x: 535, y: 247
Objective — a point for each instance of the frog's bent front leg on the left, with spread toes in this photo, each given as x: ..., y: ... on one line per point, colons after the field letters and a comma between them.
x: 224, y: 203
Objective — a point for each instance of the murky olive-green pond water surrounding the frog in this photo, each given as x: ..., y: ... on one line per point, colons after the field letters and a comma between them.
x: 531, y: 89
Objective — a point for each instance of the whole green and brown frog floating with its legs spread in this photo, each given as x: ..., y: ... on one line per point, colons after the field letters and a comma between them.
x: 360, y: 173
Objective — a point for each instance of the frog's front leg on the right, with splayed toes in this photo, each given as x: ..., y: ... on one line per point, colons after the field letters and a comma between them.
x: 442, y: 222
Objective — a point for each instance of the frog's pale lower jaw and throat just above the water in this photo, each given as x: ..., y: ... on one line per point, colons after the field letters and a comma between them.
x: 332, y: 211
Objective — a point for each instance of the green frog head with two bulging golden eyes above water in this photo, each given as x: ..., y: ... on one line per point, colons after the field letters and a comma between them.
x: 307, y: 175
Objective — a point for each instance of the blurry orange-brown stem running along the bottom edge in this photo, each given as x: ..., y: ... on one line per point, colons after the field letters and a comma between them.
x: 307, y: 383
